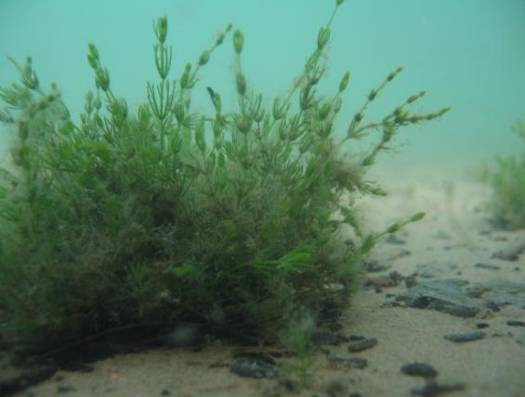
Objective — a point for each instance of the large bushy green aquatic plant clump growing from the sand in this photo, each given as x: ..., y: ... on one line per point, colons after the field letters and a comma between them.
x: 235, y: 221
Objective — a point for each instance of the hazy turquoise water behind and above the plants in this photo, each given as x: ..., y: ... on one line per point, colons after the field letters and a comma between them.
x: 467, y: 54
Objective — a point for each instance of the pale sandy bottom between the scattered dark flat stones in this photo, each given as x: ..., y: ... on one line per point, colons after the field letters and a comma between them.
x: 449, y: 235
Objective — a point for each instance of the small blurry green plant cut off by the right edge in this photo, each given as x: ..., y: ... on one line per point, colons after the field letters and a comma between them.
x: 506, y: 176
